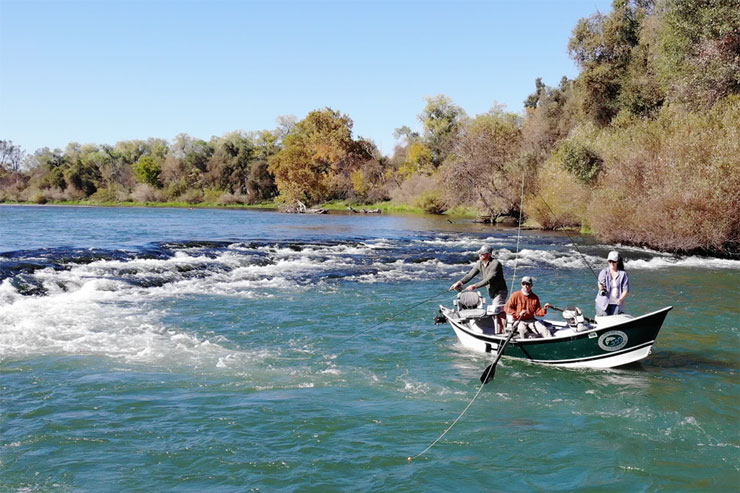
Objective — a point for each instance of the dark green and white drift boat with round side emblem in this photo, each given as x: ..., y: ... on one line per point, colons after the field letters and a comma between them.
x: 604, y: 342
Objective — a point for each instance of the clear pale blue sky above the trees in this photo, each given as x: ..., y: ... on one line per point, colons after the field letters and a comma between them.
x: 104, y: 71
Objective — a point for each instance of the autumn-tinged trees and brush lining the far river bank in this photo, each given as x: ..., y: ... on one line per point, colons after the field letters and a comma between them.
x: 643, y: 147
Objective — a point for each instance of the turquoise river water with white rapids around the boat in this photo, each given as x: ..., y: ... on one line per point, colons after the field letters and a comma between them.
x: 190, y: 350
